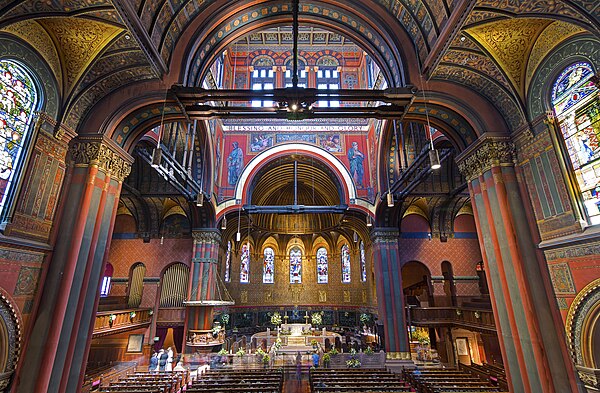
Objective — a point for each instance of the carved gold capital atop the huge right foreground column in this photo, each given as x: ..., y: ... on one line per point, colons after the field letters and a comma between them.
x: 486, y: 153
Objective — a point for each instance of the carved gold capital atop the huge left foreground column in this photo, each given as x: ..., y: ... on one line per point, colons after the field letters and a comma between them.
x: 99, y: 152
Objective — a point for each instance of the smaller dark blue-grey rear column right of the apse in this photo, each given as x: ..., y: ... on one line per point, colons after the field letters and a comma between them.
x: 390, y: 296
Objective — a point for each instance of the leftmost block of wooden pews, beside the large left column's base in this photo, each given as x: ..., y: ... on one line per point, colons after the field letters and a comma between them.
x: 149, y: 382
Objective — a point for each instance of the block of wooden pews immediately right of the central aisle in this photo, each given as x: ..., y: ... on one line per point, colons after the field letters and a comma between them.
x: 356, y: 380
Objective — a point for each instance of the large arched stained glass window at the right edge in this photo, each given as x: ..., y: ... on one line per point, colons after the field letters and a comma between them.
x: 577, y: 108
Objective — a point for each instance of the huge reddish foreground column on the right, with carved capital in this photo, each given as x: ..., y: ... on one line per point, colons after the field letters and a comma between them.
x: 530, y: 340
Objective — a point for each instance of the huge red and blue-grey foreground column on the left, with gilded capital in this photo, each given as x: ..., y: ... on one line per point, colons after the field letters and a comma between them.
x: 56, y: 355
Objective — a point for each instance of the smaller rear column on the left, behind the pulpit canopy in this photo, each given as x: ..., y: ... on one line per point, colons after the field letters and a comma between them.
x: 202, y: 285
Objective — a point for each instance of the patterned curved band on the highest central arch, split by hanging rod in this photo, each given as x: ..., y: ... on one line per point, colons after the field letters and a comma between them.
x: 205, y: 49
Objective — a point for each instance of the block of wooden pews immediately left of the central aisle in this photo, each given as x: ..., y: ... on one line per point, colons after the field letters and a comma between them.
x: 238, y: 381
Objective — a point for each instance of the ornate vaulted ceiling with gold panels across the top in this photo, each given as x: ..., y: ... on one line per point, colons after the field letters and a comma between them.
x: 96, y: 48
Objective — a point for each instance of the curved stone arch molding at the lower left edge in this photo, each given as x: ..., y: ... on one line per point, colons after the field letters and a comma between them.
x: 10, y: 333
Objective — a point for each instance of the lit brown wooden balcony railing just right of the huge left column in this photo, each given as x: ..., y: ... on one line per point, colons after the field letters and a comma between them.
x: 116, y: 321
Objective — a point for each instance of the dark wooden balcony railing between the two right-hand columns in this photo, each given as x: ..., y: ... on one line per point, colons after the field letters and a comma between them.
x: 436, y: 316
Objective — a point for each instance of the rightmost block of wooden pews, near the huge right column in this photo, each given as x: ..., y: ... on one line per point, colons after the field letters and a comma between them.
x: 448, y: 381
